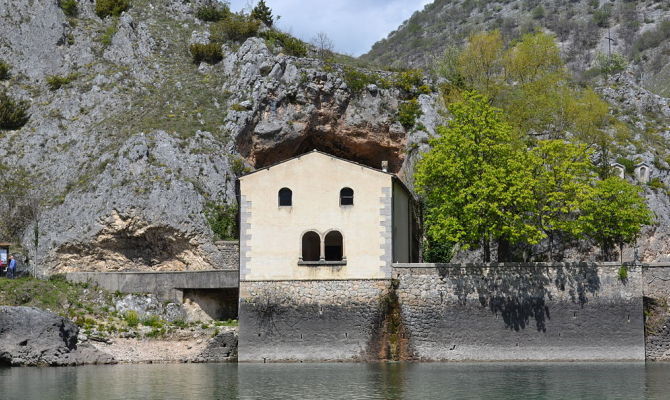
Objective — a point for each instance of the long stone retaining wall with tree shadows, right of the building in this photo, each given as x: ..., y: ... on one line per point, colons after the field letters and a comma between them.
x: 571, y: 311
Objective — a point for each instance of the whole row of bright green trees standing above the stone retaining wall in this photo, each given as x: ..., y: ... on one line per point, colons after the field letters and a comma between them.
x: 481, y: 185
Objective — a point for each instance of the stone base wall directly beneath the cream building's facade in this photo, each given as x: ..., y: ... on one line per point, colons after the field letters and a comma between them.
x: 310, y: 320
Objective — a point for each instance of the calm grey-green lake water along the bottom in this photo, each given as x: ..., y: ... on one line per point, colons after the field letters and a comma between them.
x: 341, y: 381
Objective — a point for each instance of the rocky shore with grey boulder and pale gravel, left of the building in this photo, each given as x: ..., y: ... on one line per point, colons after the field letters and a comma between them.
x: 33, y: 337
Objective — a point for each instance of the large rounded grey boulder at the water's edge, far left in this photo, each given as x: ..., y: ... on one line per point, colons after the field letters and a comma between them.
x: 30, y: 336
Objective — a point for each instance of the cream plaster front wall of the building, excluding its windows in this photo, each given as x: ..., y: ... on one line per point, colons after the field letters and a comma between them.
x: 273, y: 234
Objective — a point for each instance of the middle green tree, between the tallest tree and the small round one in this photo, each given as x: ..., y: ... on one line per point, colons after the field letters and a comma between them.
x: 562, y: 182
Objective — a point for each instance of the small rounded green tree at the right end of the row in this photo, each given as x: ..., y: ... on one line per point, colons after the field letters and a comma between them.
x: 614, y: 214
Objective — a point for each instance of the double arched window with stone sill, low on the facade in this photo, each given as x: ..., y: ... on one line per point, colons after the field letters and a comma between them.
x: 313, y: 253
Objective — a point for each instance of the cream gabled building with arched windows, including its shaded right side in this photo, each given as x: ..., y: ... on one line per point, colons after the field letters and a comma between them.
x: 320, y: 217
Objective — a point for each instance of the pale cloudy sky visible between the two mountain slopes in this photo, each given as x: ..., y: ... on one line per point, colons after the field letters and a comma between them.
x: 353, y: 25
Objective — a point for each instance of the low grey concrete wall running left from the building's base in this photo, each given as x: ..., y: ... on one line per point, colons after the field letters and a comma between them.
x: 165, y: 285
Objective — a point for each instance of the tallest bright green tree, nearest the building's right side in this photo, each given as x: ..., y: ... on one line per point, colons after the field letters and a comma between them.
x: 474, y: 180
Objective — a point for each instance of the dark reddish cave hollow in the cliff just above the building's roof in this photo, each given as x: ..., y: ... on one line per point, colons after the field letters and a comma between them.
x: 365, y: 151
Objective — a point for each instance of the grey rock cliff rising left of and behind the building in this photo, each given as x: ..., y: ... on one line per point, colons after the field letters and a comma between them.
x: 135, y: 143
